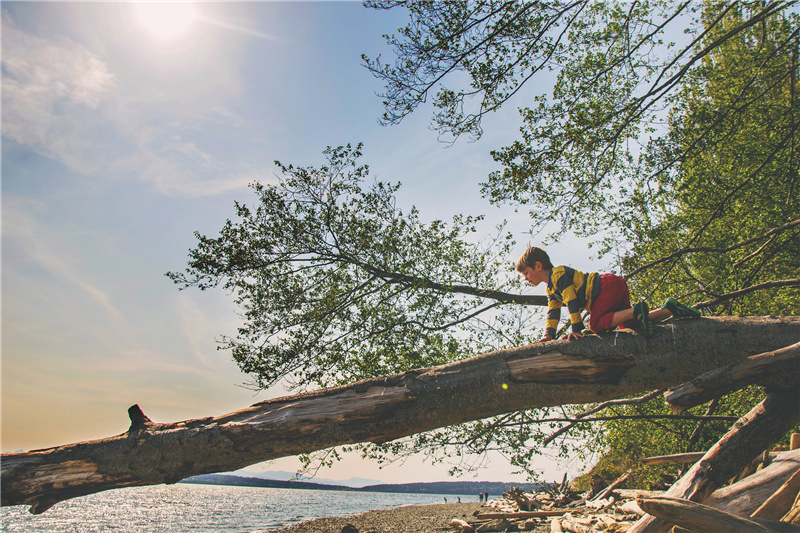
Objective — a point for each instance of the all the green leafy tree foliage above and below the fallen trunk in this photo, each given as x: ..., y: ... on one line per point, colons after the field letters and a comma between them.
x: 665, y: 130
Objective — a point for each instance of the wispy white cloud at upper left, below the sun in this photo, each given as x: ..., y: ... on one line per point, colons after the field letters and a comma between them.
x: 64, y: 102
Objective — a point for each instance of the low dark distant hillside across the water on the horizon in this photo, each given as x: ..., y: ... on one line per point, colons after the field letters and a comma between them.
x: 460, y: 488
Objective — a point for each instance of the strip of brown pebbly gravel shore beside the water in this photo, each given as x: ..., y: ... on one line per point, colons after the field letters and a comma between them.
x: 406, y: 519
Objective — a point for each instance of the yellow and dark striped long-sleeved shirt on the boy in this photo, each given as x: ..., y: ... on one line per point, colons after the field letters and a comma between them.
x: 574, y: 289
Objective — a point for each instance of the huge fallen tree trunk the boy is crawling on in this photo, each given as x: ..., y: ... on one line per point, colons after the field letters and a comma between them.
x: 595, y: 368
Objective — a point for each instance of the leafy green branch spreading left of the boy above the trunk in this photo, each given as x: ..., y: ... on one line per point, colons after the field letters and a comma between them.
x: 336, y: 283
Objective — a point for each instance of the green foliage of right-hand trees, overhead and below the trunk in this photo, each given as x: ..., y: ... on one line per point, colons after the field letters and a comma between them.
x: 680, y: 158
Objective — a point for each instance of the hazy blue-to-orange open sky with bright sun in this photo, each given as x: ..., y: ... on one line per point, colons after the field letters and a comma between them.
x: 125, y: 128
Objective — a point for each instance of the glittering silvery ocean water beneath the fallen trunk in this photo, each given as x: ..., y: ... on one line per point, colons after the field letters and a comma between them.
x: 203, y: 509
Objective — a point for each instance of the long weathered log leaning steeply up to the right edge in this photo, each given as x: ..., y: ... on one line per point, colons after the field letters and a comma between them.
x: 754, y: 432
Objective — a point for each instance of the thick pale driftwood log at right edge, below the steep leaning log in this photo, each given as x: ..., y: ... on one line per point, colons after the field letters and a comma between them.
x: 745, y: 496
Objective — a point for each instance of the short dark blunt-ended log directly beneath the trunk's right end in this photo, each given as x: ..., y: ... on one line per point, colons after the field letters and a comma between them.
x: 783, y: 363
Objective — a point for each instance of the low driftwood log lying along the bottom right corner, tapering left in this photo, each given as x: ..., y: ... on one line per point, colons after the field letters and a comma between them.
x: 698, y: 517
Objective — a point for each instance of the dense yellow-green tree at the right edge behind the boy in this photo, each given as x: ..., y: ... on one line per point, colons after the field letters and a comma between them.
x: 731, y: 224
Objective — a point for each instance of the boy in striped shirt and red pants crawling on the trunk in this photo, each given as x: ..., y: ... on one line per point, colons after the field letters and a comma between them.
x: 605, y: 296
